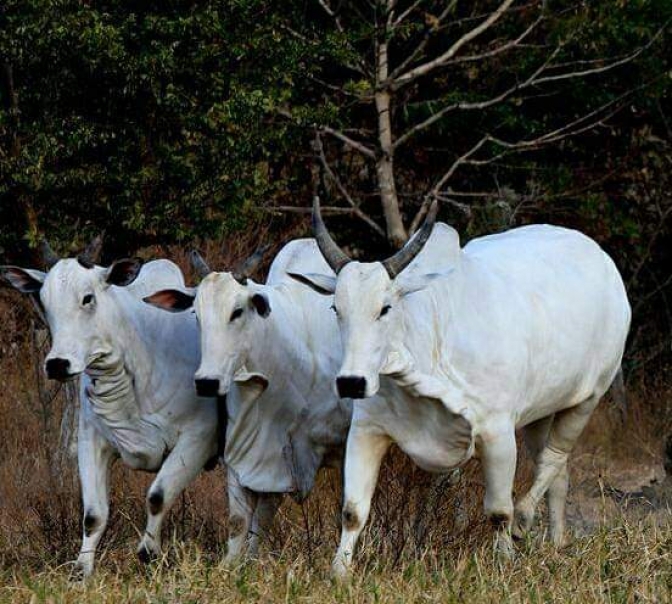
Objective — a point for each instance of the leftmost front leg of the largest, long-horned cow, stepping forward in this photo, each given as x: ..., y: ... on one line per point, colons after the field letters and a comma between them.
x: 364, y: 453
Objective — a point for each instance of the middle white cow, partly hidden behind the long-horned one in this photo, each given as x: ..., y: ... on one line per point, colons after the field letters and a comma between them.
x: 274, y: 350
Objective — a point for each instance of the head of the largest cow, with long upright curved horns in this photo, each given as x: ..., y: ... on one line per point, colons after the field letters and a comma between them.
x: 366, y: 297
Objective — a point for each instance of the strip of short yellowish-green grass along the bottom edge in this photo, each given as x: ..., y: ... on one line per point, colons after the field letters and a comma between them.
x: 625, y: 563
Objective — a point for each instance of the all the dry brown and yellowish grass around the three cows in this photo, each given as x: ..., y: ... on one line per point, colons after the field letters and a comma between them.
x: 427, y: 539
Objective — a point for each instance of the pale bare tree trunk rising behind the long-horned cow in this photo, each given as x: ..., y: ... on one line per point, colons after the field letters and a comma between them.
x: 396, y: 233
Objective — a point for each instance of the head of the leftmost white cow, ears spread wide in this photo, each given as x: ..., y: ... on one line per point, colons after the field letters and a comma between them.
x: 75, y: 296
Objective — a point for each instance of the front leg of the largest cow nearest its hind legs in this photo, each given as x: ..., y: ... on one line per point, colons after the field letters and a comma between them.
x: 498, y: 458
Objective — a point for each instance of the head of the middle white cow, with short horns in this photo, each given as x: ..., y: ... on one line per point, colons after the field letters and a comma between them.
x: 228, y: 307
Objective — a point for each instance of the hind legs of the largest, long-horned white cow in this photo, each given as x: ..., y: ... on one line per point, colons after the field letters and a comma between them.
x: 552, y: 465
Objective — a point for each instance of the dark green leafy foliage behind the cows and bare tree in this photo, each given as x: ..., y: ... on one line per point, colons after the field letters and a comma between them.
x: 162, y: 122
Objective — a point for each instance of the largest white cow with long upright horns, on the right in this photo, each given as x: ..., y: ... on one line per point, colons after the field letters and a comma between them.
x: 522, y: 329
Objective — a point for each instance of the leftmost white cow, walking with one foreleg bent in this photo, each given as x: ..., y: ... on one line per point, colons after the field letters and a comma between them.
x: 137, y: 393
